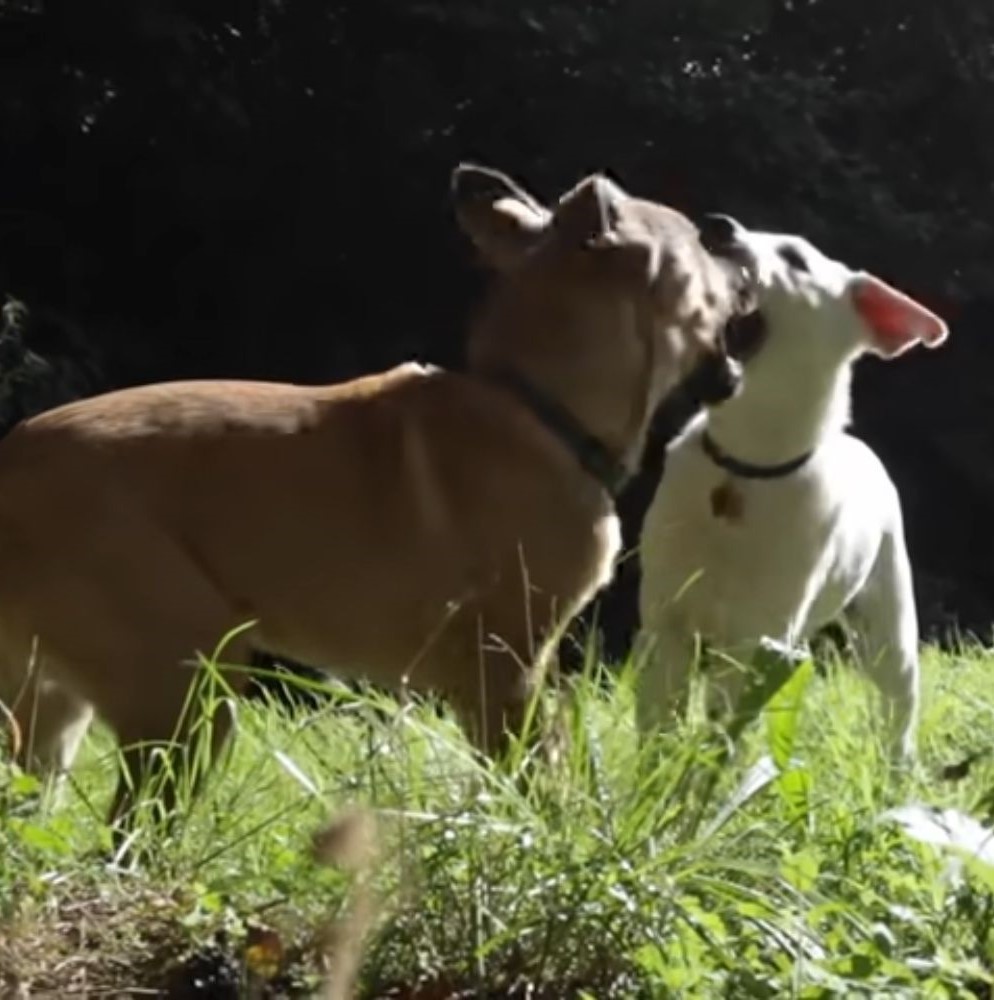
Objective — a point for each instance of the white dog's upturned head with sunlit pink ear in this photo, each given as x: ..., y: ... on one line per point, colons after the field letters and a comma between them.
x: 817, y: 309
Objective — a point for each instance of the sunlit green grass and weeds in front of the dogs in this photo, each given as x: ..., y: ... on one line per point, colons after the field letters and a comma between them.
x: 612, y: 874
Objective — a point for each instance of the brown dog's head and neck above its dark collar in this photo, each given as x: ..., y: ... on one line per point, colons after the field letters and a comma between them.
x: 605, y: 301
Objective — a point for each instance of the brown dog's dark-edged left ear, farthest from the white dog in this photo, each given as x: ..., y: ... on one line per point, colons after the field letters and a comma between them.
x: 501, y: 219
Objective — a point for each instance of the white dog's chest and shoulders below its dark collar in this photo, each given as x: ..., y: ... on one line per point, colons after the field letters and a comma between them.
x: 783, y: 558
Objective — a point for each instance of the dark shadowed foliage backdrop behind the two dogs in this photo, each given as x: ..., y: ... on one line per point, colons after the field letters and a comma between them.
x: 260, y: 189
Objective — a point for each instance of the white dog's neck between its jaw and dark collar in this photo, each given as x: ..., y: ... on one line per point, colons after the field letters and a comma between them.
x: 775, y: 419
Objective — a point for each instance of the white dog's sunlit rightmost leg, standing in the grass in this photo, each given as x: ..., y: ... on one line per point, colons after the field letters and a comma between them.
x: 886, y: 625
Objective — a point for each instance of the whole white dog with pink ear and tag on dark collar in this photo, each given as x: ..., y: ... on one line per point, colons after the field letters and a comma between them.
x: 770, y: 520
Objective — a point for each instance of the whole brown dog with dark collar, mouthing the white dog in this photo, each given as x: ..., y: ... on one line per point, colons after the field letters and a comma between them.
x: 415, y: 525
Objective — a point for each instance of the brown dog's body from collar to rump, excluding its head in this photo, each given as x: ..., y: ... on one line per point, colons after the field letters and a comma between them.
x: 406, y: 505
